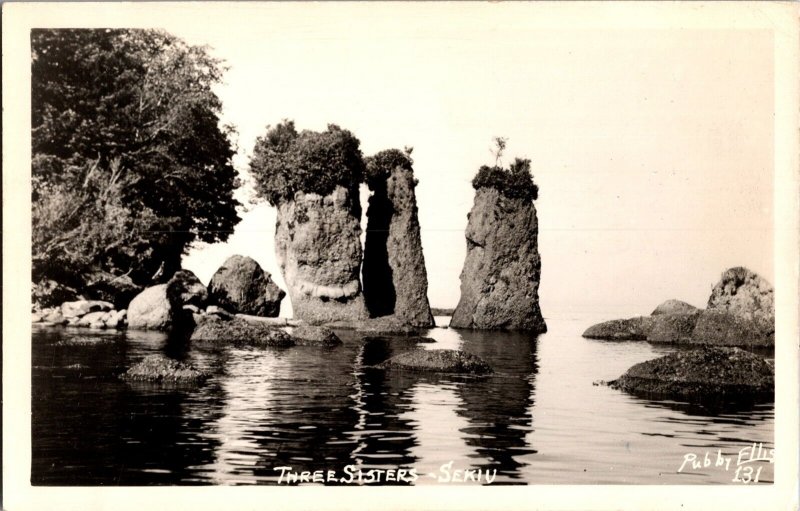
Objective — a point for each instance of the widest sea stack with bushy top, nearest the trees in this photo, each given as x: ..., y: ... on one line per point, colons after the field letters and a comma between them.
x: 313, y: 179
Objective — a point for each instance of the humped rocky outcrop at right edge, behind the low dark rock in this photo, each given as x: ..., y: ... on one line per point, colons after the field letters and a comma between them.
x: 741, y: 312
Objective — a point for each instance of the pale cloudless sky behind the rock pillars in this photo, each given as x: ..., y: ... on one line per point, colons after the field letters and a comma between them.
x: 652, y: 149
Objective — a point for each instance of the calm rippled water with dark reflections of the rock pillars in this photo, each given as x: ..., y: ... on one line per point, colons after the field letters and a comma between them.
x: 539, y: 419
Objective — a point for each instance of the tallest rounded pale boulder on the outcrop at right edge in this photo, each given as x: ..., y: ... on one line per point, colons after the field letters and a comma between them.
x: 746, y: 295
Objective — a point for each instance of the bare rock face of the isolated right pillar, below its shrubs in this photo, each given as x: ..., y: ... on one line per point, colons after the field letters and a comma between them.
x: 500, y: 278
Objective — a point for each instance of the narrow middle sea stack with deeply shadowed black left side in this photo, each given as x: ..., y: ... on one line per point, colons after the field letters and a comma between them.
x: 395, y: 279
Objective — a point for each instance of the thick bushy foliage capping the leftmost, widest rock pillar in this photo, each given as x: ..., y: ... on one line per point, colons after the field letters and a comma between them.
x: 285, y: 162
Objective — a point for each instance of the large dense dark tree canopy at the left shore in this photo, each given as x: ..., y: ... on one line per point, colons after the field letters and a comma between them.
x: 130, y: 163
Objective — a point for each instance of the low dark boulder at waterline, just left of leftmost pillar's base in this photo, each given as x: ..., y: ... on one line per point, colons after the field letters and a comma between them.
x: 240, y: 332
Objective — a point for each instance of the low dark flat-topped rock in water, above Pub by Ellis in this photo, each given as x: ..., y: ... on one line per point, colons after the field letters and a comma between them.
x: 707, y: 373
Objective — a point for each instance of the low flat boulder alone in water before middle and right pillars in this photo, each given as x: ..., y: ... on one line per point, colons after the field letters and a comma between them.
x: 439, y: 361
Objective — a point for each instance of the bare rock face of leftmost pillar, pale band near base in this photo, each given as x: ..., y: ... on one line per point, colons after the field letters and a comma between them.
x: 319, y: 251
